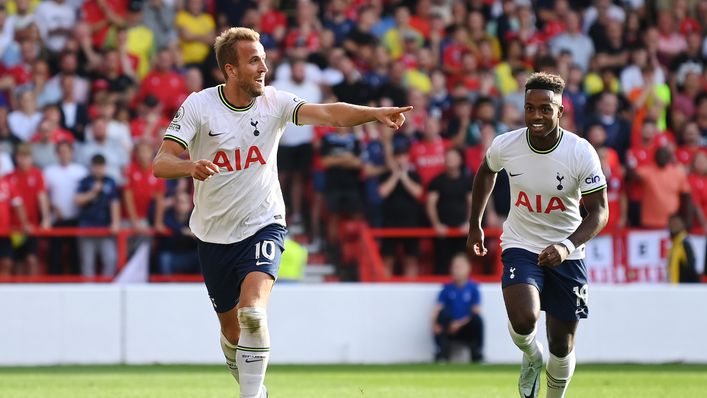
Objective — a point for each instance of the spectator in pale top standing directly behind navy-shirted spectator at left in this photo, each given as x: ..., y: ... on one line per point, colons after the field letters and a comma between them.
x: 116, y: 159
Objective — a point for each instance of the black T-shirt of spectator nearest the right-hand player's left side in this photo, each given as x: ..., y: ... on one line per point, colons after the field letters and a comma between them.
x: 452, y: 206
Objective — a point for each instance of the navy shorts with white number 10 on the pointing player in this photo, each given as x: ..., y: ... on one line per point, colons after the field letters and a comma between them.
x: 225, y: 266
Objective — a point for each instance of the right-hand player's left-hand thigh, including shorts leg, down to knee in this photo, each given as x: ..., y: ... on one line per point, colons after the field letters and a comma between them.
x: 522, y: 282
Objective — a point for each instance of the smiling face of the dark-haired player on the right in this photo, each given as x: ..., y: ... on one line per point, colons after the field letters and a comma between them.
x: 543, y: 110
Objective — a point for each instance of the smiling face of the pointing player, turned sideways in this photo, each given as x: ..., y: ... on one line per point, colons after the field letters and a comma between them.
x: 250, y: 69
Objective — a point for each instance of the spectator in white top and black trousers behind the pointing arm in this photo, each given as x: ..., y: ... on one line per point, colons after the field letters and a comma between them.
x: 295, y: 152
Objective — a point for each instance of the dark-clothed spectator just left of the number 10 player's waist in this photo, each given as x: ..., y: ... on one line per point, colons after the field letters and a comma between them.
x: 177, y: 251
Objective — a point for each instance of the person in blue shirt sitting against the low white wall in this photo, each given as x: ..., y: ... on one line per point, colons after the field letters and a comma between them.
x: 457, y: 314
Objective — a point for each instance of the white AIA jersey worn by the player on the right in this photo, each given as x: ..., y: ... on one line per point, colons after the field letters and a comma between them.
x: 546, y: 188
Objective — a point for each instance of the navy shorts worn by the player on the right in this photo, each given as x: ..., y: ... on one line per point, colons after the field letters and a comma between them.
x: 563, y: 289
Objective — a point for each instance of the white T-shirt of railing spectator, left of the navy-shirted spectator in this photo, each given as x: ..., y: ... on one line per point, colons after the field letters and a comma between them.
x: 62, y: 183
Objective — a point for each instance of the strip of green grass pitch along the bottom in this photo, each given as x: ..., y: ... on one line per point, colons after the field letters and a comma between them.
x: 346, y: 381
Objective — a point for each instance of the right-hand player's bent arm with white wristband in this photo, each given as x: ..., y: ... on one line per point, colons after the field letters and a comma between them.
x: 597, y: 207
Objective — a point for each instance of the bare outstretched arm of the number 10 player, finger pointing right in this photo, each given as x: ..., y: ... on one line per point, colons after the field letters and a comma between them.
x: 342, y: 114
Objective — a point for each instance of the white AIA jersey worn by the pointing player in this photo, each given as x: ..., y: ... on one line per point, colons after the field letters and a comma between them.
x: 245, y: 196
